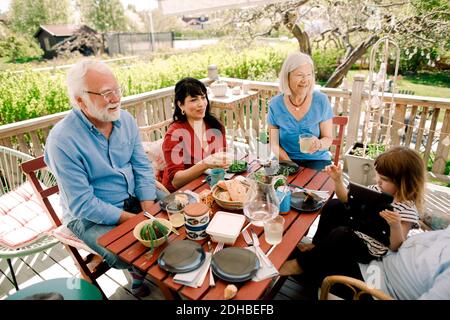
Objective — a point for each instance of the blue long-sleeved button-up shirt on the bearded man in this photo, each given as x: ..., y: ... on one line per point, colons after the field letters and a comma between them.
x: 95, y: 175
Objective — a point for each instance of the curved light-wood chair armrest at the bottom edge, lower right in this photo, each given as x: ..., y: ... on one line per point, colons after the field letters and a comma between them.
x: 358, y: 287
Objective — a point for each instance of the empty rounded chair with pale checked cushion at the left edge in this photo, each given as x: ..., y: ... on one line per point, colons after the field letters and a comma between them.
x: 23, y: 224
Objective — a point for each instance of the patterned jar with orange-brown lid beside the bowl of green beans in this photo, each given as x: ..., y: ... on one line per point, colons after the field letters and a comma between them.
x: 196, y: 216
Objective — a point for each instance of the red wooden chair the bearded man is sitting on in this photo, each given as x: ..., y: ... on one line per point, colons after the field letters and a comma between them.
x: 70, y: 241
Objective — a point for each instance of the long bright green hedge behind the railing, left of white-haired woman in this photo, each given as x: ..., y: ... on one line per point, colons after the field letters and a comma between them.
x: 30, y: 94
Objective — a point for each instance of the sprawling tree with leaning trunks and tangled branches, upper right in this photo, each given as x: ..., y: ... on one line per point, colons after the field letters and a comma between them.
x: 353, y: 25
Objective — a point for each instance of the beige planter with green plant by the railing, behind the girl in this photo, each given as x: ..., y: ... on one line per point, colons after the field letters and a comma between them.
x: 360, y: 162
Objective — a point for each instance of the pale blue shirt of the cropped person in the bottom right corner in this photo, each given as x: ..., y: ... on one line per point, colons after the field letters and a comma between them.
x: 420, y: 269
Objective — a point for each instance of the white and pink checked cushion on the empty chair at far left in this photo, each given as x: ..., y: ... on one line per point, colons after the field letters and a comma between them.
x: 22, y: 218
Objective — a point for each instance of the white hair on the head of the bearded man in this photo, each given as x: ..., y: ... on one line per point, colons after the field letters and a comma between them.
x: 76, y: 78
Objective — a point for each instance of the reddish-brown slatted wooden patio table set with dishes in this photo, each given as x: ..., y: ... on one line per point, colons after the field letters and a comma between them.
x: 121, y: 242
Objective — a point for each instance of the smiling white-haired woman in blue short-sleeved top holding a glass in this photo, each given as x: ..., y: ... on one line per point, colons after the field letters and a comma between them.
x: 299, y: 110
